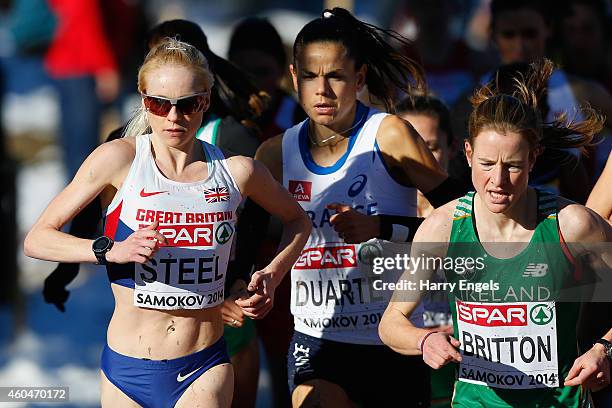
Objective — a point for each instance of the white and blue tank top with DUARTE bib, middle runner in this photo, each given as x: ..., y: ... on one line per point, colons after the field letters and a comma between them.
x: 332, y: 295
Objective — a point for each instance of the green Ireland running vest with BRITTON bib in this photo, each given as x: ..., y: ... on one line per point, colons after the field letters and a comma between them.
x: 517, y: 342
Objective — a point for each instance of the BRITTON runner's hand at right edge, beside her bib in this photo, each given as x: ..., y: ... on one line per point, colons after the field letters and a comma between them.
x: 591, y: 369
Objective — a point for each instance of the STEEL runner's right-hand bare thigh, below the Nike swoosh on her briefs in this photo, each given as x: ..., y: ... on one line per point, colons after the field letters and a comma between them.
x: 213, y: 389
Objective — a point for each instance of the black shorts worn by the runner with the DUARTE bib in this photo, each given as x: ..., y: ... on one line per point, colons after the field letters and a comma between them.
x: 372, y: 376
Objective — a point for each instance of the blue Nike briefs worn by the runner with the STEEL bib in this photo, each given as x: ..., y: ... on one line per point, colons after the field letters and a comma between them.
x: 160, y: 383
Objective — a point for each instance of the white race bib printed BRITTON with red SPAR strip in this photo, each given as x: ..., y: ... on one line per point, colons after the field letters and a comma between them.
x: 508, y: 345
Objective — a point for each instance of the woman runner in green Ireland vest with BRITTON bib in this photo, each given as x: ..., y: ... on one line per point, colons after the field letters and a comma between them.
x: 515, y: 345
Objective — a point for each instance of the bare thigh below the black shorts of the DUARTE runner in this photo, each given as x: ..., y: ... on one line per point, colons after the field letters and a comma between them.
x: 320, y: 393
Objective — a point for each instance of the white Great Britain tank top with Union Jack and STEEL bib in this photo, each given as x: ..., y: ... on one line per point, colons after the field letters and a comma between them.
x: 198, y: 220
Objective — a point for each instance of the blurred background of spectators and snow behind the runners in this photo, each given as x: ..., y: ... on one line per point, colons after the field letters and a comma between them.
x: 68, y: 78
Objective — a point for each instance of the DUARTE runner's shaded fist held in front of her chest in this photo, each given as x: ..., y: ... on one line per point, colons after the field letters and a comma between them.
x: 353, y: 226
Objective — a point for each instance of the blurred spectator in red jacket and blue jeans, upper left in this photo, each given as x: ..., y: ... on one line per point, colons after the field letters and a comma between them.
x: 81, y: 62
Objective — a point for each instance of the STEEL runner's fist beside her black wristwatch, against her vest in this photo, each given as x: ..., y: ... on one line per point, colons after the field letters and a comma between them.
x: 138, y: 247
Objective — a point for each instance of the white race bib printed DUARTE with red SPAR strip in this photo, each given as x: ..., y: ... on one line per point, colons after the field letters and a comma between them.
x: 336, y: 293
